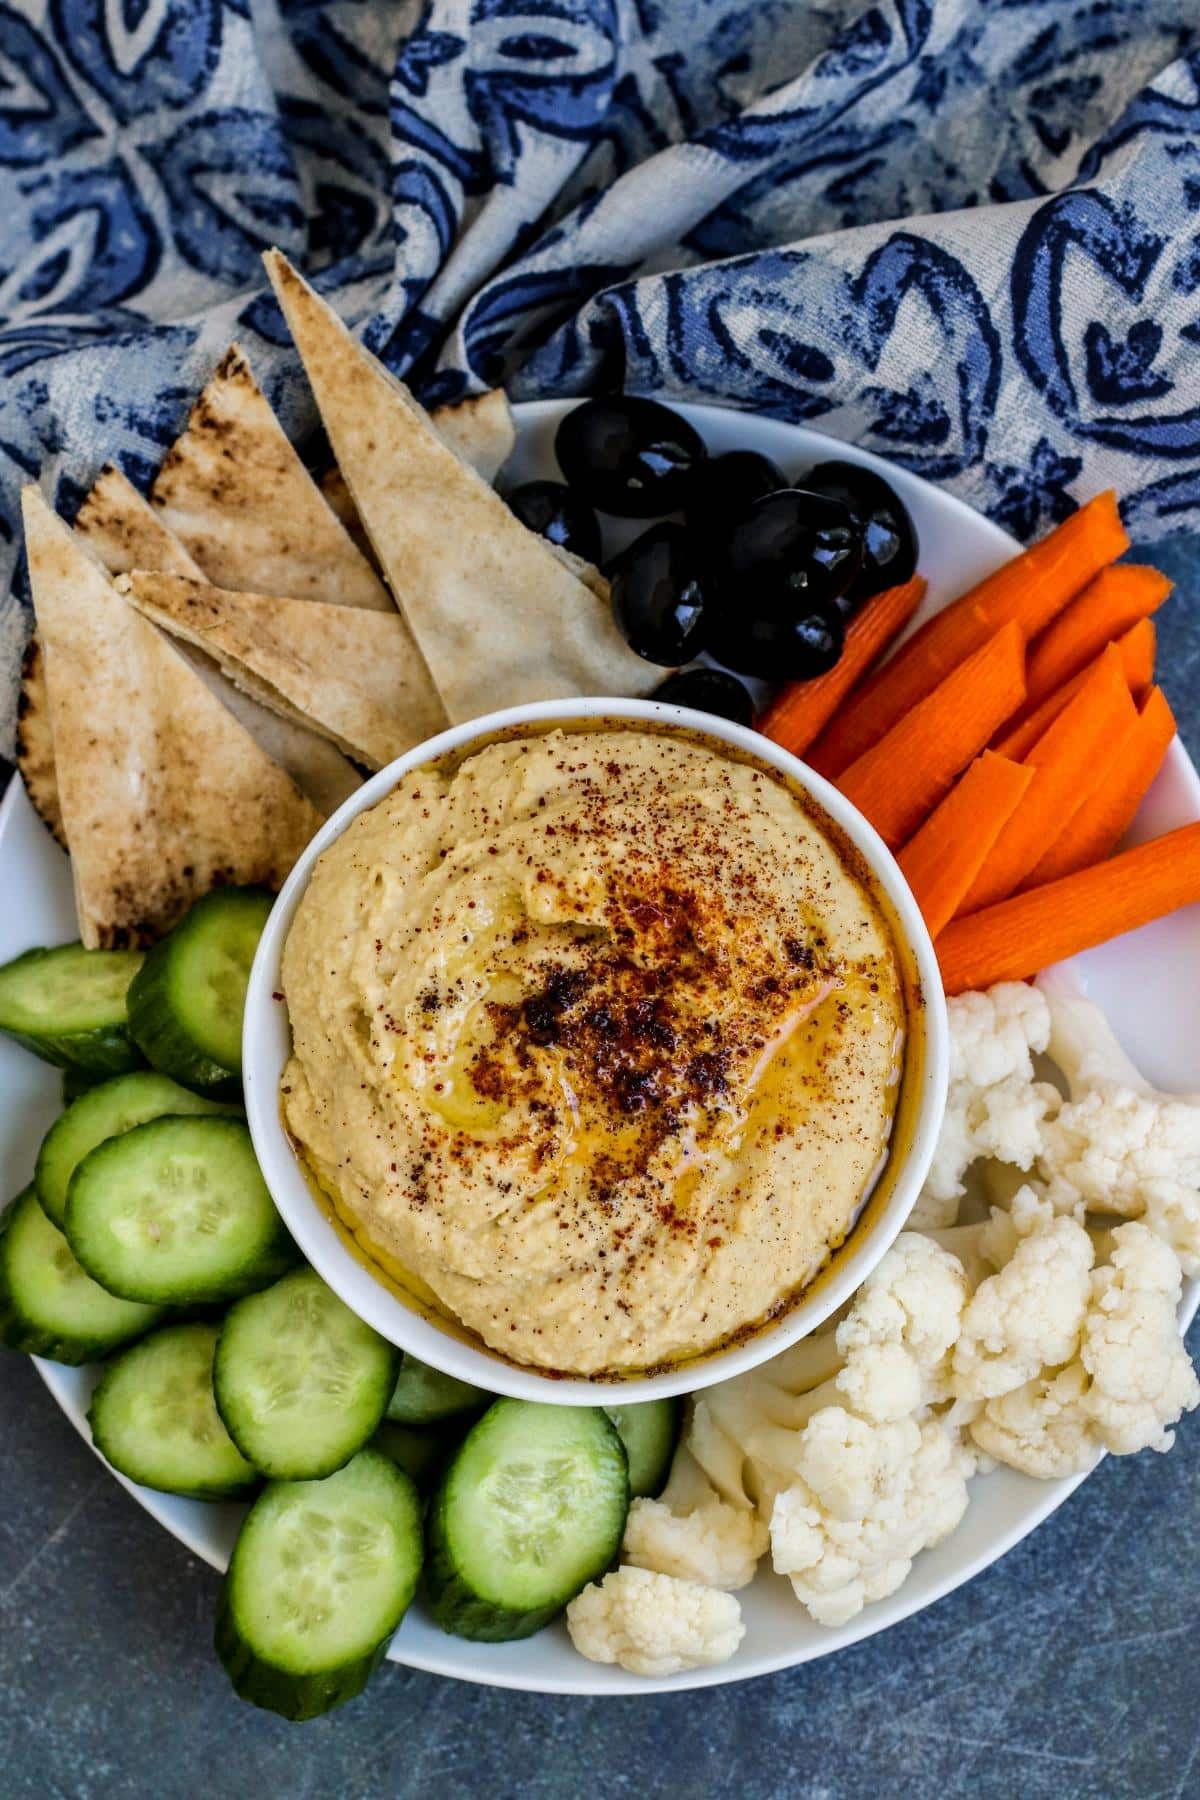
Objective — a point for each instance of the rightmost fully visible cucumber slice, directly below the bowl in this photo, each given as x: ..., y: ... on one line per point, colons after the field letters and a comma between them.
x: 530, y: 1511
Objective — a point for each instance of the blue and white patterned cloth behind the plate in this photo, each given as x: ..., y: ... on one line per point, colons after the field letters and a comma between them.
x: 963, y: 233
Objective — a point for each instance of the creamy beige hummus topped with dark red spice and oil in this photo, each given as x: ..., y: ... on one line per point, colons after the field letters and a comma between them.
x: 598, y: 1034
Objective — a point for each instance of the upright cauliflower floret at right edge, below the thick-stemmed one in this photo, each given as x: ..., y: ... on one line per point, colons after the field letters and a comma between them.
x: 1142, y: 1378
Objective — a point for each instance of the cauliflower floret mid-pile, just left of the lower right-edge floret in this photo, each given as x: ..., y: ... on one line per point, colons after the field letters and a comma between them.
x: 1030, y: 1315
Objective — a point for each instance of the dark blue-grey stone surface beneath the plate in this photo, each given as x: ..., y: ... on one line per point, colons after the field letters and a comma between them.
x: 1066, y: 1671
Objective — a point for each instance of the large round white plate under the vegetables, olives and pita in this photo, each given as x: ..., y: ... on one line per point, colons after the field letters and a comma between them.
x: 1149, y: 984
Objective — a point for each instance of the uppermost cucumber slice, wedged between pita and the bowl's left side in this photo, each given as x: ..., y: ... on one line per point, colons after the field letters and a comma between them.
x: 188, y: 1000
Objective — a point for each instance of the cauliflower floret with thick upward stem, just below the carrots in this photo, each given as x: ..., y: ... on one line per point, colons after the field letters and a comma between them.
x: 1118, y: 1146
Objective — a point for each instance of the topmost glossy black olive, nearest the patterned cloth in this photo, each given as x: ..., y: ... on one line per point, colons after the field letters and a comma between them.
x: 629, y: 456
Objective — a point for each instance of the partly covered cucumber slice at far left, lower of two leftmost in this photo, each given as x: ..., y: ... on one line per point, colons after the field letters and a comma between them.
x: 49, y: 1306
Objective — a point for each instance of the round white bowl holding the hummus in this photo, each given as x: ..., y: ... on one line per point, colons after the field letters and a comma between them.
x: 267, y: 1043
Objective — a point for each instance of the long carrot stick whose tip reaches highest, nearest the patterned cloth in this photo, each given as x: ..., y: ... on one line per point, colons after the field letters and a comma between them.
x: 1030, y: 591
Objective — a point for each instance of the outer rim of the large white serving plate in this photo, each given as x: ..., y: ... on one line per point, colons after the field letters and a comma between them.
x: 877, y: 1617
